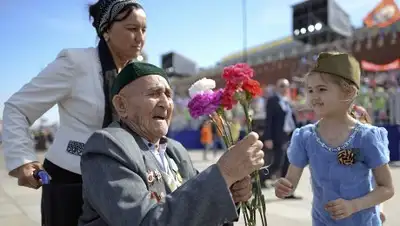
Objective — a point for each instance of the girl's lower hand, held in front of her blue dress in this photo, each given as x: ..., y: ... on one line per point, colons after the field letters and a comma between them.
x: 340, y: 208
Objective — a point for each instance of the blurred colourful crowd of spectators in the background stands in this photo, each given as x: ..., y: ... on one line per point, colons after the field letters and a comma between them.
x: 379, y: 94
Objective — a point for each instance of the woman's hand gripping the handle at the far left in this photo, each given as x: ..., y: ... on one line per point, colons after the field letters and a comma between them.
x: 25, y: 177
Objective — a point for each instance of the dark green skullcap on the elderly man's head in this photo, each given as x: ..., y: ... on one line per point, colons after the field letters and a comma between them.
x: 133, y: 71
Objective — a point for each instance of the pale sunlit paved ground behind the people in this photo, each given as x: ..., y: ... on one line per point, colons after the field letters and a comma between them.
x: 19, y: 206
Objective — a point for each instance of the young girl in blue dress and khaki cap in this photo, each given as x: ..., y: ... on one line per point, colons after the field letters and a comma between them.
x: 343, y: 154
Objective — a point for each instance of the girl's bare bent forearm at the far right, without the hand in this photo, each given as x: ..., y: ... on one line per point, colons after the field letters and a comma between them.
x: 383, y: 190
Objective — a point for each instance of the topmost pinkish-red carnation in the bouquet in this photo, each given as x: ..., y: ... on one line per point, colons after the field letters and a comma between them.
x: 238, y: 73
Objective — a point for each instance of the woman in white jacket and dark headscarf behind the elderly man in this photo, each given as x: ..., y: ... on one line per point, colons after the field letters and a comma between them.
x: 78, y: 81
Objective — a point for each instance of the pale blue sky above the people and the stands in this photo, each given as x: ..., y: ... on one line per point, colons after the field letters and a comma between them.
x: 34, y: 32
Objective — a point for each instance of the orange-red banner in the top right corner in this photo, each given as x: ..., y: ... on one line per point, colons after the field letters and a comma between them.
x: 383, y: 15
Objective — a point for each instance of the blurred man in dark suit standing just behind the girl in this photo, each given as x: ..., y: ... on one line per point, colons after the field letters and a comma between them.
x: 279, y: 126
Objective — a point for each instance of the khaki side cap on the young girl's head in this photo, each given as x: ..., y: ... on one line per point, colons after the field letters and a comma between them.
x: 339, y: 64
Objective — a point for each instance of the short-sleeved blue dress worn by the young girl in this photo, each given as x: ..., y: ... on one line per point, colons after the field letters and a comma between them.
x: 332, y: 180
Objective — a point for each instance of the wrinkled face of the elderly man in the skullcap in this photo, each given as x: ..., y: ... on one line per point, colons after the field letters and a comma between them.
x: 149, y: 105
